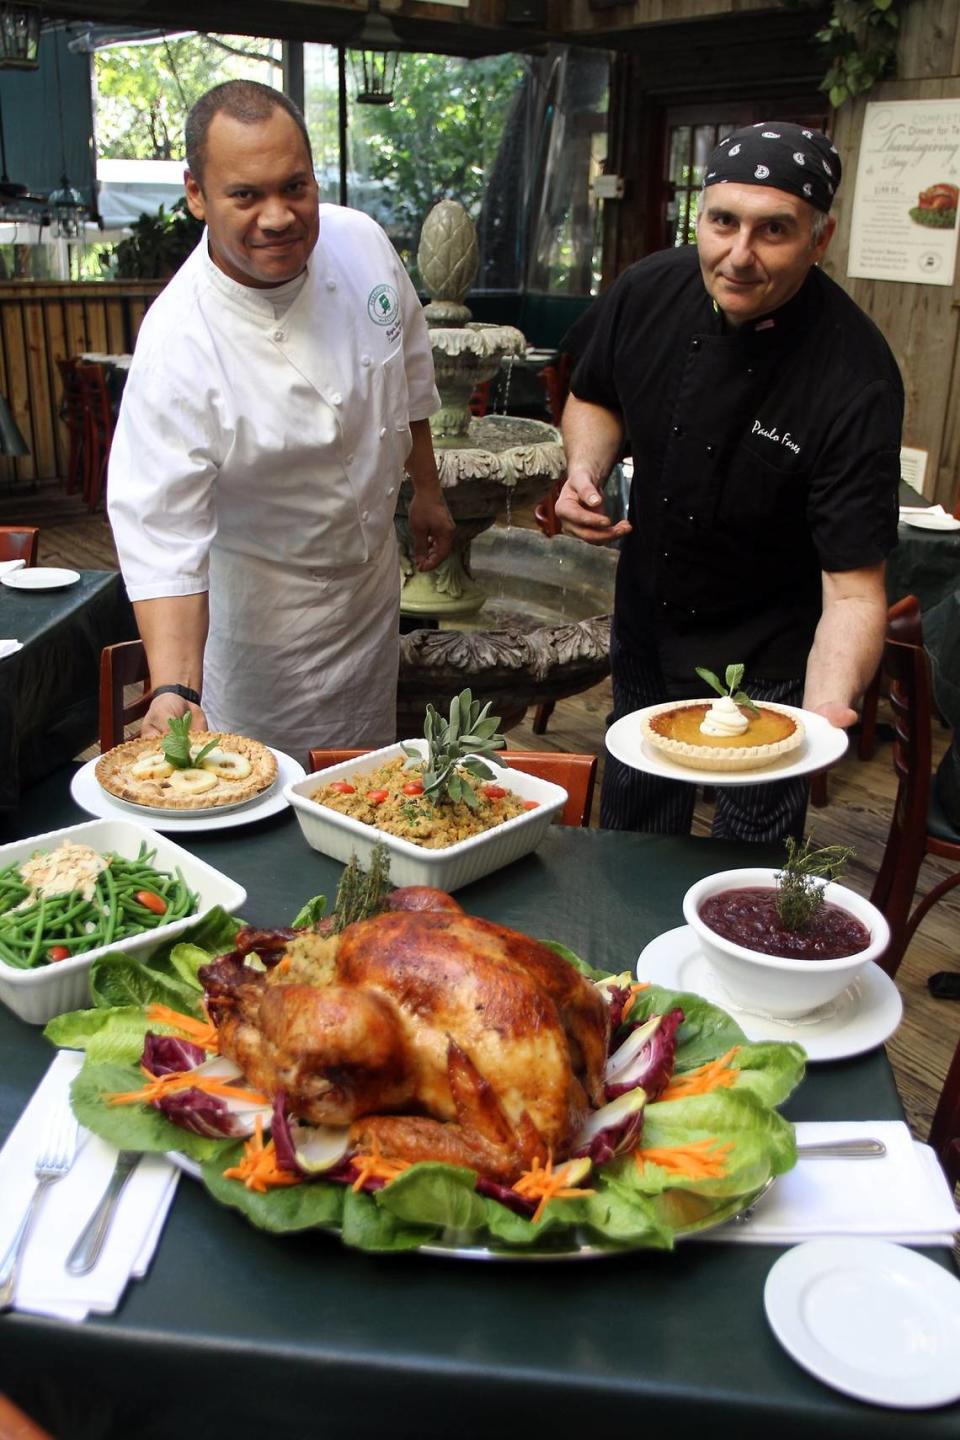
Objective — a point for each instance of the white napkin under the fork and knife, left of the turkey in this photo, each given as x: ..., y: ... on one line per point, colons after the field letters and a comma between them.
x: 44, y: 1287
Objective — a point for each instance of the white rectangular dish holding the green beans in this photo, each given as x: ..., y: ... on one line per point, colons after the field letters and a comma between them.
x: 41, y: 994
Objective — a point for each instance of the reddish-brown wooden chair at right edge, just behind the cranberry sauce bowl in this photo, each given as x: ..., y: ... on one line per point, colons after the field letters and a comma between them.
x: 919, y: 827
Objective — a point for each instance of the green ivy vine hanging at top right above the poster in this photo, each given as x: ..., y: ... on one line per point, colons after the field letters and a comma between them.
x: 860, y: 44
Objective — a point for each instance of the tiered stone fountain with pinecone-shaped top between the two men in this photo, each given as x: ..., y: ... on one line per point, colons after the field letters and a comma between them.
x: 520, y: 618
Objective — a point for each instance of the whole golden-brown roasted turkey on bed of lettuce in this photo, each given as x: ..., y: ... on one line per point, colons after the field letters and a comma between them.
x: 434, y: 1033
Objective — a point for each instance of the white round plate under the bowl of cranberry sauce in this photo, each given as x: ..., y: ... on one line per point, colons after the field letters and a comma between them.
x: 861, y: 1019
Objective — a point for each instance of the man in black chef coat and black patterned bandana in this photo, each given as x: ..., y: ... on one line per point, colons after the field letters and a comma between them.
x: 764, y: 411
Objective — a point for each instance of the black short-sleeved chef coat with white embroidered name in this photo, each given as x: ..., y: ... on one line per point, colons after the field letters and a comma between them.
x: 762, y: 457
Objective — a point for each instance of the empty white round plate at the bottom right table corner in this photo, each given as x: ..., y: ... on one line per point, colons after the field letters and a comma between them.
x: 871, y: 1320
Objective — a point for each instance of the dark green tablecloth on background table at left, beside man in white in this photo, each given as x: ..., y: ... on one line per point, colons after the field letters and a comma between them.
x: 50, y: 689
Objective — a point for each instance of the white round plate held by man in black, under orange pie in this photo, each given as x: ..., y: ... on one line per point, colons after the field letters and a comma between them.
x: 823, y: 745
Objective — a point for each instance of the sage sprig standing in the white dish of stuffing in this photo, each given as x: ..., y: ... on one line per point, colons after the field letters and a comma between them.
x: 456, y: 747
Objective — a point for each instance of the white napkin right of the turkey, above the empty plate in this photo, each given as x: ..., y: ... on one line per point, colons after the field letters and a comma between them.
x: 902, y: 1197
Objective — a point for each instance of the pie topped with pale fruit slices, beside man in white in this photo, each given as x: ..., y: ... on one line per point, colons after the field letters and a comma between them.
x: 237, y: 770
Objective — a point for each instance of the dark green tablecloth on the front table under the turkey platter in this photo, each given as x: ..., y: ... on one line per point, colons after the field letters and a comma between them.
x: 235, y: 1333
